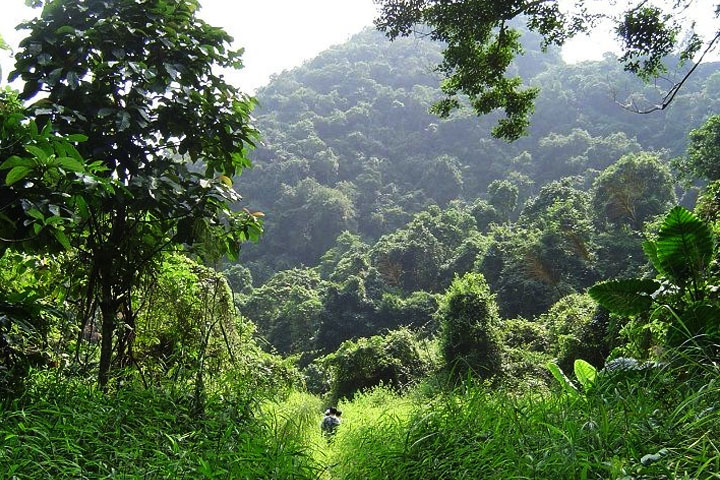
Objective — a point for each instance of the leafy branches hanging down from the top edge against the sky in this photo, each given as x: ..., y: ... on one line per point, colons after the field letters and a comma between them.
x: 482, y: 39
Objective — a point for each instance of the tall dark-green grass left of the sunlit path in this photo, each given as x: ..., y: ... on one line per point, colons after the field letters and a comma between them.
x: 68, y: 429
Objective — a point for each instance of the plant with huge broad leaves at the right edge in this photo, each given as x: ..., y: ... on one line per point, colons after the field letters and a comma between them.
x: 682, y: 254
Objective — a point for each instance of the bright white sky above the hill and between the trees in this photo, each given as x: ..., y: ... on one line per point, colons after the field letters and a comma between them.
x: 278, y: 35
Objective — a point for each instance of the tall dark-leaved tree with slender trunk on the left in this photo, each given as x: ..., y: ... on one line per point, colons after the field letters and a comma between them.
x: 137, y: 78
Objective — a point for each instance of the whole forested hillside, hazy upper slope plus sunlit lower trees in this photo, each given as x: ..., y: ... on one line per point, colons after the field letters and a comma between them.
x: 375, y: 204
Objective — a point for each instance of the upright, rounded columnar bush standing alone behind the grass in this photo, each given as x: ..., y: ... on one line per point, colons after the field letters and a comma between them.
x: 470, y: 338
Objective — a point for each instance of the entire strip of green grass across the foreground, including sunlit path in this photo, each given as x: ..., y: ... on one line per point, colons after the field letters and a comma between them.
x: 656, y: 424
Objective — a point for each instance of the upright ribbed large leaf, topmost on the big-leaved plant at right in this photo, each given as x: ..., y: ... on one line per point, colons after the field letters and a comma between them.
x: 684, y: 246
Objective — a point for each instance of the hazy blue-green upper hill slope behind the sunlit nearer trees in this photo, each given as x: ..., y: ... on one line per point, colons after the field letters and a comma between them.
x: 349, y: 143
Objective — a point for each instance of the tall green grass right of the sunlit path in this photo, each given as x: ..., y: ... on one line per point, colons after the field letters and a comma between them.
x: 661, y: 423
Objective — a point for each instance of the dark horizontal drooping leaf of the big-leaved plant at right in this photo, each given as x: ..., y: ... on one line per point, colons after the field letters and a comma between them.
x: 625, y: 297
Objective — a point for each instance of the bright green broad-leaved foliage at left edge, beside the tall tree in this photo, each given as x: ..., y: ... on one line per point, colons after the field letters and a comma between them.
x: 45, y: 184
